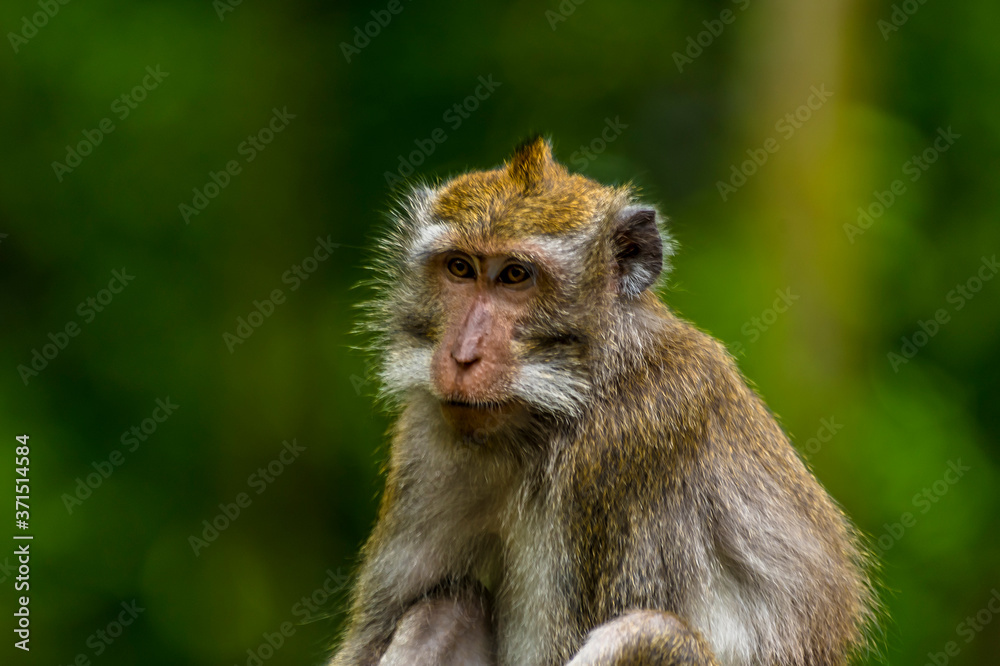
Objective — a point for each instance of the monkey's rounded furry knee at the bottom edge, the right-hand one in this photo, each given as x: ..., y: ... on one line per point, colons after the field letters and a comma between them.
x: 651, y: 638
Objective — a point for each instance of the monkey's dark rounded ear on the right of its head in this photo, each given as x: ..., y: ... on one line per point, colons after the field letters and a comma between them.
x: 638, y: 250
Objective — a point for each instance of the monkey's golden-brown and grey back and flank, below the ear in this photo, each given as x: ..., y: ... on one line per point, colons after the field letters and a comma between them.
x: 685, y: 495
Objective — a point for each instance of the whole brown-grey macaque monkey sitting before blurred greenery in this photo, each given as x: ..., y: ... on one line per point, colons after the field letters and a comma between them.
x: 576, y: 475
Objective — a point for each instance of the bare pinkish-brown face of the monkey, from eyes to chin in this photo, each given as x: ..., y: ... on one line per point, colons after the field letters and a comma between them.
x: 483, y: 299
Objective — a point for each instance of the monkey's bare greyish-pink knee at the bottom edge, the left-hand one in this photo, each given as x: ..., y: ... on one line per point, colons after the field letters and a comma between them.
x: 443, y: 631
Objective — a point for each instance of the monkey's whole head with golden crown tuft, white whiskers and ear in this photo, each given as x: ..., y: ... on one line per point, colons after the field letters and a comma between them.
x: 502, y: 290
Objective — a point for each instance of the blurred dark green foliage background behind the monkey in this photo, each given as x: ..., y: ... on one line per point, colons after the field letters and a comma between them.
x: 811, y: 297
